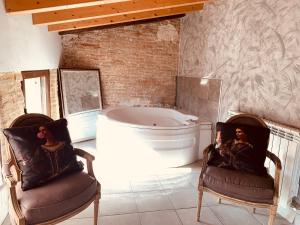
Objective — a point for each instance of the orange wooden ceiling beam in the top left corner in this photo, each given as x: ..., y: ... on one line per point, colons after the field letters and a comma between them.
x: 36, y: 6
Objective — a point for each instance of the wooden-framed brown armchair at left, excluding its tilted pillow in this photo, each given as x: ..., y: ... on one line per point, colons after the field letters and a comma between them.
x: 56, y: 200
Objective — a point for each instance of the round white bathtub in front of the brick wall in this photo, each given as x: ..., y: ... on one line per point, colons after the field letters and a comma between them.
x: 137, y: 138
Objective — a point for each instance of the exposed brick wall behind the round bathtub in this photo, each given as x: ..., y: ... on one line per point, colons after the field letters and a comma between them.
x: 138, y: 63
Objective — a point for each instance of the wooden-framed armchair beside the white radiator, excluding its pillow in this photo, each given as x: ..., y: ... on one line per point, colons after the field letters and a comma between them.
x: 239, y: 186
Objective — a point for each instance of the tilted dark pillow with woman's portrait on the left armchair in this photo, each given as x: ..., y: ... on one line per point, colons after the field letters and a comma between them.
x: 38, y: 165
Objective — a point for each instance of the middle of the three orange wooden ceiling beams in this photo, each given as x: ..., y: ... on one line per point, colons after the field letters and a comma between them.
x: 114, y: 9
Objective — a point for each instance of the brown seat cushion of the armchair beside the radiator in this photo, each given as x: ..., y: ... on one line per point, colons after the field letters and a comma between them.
x: 240, y: 185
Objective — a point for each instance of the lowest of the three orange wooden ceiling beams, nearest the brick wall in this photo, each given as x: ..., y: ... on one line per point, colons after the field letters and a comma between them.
x: 125, y: 18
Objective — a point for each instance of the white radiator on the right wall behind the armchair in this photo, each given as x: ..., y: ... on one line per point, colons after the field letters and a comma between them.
x: 285, y: 143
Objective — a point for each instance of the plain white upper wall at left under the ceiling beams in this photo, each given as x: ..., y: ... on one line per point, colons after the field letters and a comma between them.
x: 24, y: 46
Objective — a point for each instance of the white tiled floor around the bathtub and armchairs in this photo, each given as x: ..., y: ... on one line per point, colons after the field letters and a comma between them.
x: 168, y: 197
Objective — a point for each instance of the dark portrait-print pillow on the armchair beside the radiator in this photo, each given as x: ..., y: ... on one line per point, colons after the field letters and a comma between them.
x: 249, y: 157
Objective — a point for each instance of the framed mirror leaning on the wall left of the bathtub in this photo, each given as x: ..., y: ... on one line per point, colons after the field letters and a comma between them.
x: 80, y: 101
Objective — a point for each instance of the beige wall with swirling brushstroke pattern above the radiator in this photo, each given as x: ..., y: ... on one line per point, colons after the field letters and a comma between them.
x: 253, y: 46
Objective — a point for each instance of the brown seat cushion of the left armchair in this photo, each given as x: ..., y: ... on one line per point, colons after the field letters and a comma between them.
x: 56, y: 198
